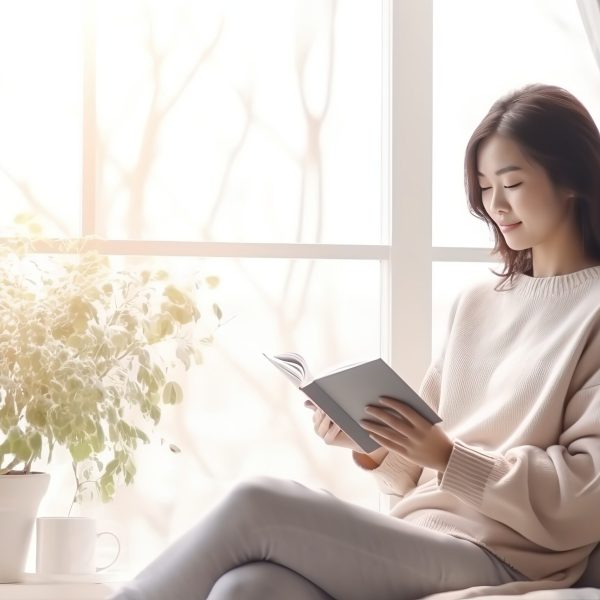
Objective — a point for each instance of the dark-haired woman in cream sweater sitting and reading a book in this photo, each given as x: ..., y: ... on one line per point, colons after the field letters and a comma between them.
x: 502, y: 496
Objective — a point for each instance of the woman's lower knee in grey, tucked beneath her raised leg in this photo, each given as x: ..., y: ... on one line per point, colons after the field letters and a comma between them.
x: 260, y: 580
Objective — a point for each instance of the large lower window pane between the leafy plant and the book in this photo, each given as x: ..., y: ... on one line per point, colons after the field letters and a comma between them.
x: 240, y: 416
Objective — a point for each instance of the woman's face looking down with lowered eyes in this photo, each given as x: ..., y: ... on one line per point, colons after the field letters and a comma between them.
x: 517, y: 190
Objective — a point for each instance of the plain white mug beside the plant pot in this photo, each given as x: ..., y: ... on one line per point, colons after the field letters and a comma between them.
x: 67, y: 546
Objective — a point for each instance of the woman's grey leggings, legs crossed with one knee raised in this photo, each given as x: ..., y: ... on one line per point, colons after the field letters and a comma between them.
x: 273, y: 538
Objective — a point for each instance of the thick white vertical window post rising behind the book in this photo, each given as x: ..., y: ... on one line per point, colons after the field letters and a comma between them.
x: 409, y: 267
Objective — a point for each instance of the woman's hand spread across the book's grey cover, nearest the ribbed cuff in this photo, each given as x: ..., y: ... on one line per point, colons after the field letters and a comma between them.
x: 406, y: 432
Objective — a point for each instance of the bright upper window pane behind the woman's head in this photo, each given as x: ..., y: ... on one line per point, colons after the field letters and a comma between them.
x: 481, y: 51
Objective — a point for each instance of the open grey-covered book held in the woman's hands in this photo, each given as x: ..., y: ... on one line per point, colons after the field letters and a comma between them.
x: 343, y: 394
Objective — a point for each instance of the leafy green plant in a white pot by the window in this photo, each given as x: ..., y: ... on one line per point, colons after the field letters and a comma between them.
x: 87, y: 355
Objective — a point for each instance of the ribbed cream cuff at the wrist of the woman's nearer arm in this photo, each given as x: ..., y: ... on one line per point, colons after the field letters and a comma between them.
x: 467, y: 473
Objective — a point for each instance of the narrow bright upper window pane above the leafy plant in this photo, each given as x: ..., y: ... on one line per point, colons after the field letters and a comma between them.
x: 40, y: 120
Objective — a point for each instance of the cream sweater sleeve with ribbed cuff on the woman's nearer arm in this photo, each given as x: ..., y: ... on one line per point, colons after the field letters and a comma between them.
x: 551, y: 496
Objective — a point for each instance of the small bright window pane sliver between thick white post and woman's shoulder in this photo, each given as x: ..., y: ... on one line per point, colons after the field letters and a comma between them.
x: 448, y: 280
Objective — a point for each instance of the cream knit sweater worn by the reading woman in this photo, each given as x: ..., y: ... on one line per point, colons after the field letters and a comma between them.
x: 518, y: 388
